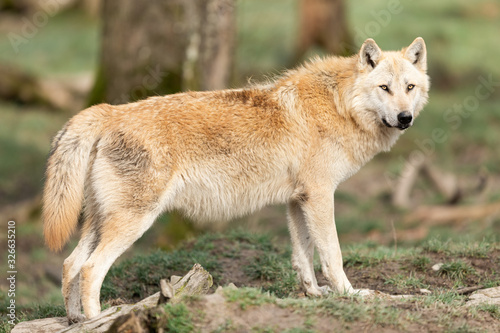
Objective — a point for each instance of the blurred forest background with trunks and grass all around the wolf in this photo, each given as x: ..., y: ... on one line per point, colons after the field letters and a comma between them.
x: 441, y: 180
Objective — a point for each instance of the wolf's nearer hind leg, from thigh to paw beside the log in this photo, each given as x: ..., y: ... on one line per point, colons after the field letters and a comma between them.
x: 117, y: 234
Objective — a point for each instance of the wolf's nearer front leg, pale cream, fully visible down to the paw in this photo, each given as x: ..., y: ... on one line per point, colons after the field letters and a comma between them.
x: 319, y: 214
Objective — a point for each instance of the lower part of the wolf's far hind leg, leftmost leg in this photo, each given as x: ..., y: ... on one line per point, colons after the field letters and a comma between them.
x: 71, y: 278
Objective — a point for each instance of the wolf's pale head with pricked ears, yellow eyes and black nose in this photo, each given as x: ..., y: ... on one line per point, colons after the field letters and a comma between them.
x: 394, y: 84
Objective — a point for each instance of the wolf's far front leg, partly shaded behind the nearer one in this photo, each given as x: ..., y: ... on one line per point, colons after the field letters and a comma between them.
x: 303, y: 251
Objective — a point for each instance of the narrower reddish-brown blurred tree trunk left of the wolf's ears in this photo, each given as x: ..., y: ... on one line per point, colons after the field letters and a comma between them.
x: 323, y: 24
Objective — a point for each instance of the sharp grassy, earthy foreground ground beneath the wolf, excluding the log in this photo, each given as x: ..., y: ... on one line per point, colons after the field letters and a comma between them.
x: 268, y: 284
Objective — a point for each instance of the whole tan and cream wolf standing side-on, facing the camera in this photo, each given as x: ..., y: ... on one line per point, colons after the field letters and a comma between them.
x: 216, y: 155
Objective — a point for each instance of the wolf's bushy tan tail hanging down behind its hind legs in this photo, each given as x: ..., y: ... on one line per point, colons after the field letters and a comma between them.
x: 65, y: 176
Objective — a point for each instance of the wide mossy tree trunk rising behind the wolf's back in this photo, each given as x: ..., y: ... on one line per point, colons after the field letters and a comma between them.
x: 158, y: 47
